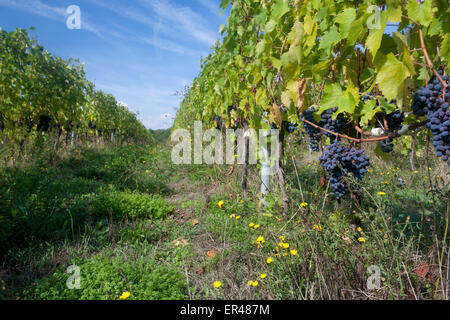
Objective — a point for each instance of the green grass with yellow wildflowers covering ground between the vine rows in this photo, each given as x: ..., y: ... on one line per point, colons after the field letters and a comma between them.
x: 132, y: 221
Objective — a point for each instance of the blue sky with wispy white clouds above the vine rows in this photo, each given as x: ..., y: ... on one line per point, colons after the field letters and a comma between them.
x: 141, y: 51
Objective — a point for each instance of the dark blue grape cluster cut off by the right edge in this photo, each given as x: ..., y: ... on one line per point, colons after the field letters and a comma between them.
x: 428, y: 101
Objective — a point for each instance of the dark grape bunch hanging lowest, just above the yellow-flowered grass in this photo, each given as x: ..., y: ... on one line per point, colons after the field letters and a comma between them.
x: 340, y: 161
